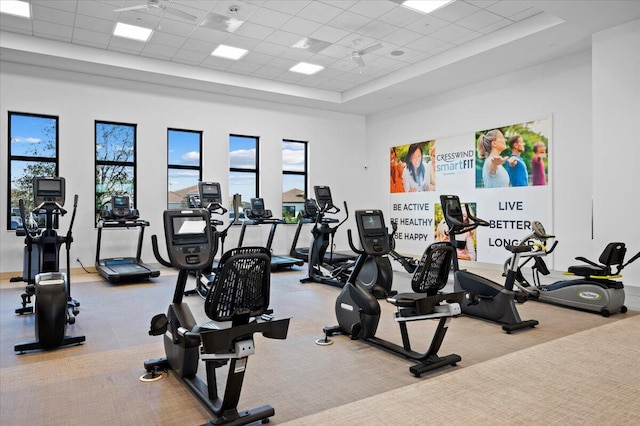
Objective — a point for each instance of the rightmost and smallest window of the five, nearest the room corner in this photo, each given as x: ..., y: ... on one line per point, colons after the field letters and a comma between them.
x: 294, y: 179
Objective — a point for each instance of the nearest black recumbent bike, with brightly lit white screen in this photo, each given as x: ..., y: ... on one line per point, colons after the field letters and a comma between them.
x: 238, y: 306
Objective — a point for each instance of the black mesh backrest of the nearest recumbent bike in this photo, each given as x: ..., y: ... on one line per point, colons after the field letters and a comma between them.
x: 241, y: 288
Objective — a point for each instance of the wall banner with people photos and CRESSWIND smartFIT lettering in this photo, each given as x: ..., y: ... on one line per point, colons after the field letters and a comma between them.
x: 501, y: 173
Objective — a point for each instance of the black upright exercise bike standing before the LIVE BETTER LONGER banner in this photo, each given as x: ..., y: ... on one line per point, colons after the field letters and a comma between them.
x: 485, y: 298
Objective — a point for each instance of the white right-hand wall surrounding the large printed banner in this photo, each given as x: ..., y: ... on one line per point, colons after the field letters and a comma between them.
x: 561, y: 89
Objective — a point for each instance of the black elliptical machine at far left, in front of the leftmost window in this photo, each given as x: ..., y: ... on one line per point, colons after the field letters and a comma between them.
x: 54, y: 307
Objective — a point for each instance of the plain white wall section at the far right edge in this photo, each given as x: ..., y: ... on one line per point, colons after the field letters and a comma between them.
x: 616, y: 149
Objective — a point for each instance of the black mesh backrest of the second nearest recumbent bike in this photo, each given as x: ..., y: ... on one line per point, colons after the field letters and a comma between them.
x: 432, y: 272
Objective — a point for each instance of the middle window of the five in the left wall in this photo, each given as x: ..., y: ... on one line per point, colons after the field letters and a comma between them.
x: 184, y: 166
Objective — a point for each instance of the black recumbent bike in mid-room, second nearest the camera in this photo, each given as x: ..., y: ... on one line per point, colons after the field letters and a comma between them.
x: 358, y: 311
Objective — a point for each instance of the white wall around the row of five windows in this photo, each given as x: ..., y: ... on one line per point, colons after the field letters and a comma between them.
x: 78, y: 100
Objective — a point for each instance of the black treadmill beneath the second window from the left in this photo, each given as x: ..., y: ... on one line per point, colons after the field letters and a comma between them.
x: 117, y: 214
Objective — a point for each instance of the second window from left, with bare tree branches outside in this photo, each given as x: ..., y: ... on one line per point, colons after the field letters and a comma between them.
x: 115, y: 162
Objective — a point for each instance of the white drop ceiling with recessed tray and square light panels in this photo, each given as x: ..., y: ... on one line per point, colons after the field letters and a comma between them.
x: 415, y: 55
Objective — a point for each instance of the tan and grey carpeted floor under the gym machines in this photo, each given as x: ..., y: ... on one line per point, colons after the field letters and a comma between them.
x: 524, y: 378
